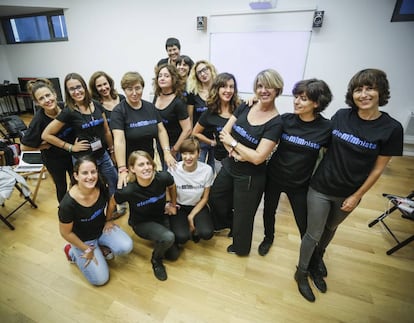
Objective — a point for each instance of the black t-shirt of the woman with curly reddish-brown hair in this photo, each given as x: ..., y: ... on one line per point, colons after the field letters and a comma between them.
x: 171, y: 117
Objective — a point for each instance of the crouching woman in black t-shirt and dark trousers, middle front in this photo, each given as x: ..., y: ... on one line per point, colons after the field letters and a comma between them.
x: 146, y: 194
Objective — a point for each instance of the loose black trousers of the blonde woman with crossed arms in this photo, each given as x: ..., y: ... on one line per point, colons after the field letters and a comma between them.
x: 242, y: 194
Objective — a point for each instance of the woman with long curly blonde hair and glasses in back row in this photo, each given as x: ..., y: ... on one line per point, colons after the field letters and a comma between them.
x: 199, y: 84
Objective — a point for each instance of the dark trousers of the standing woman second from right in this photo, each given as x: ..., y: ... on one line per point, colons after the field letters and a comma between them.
x: 297, y: 199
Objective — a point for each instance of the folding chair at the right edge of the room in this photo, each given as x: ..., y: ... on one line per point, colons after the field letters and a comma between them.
x: 406, y: 206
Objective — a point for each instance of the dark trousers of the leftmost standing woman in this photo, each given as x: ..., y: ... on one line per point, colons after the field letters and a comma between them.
x: 59, y: 168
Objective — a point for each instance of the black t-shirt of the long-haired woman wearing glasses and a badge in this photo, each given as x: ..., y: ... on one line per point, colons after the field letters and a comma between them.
x: 86, y: 127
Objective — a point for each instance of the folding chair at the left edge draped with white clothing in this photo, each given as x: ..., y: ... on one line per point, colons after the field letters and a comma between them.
x: 9, y: 181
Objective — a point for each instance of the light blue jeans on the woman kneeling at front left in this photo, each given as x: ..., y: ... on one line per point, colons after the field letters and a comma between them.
x: 98, y: 273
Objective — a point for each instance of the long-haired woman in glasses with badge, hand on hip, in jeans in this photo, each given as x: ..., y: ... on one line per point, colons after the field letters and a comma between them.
x: 90, y: 127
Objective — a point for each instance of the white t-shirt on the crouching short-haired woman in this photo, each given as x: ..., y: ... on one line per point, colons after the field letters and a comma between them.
x: 191, y: 185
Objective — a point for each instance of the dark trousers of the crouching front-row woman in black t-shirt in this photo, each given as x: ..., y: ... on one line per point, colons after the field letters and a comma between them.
x: 162, y: 237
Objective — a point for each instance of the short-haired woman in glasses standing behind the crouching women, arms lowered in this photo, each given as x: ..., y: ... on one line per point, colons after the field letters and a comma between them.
x: 136, y: 123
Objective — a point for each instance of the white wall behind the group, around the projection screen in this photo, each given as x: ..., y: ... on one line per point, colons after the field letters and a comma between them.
x: 130, y: 35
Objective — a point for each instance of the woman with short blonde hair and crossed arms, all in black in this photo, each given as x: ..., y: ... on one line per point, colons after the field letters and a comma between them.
x: 249, y: 136
